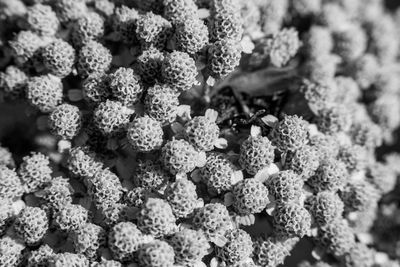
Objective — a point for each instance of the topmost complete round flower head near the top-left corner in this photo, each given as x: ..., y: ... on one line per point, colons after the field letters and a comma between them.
x: 42, y: 20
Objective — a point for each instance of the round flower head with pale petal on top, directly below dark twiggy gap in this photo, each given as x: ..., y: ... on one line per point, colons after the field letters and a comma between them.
x: 256, y: 153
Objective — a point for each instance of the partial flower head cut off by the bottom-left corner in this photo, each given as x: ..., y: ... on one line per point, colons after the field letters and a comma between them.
x: 10, y: 251
